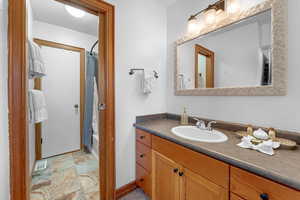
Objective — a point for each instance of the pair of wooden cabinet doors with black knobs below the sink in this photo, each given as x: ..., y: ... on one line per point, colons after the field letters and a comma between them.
x: 172, y: 181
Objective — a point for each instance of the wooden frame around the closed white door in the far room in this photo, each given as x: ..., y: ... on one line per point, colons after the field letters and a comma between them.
x: 38, y: 86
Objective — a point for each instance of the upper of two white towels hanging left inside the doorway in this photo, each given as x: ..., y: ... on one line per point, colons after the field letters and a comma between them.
x: 36, y: 62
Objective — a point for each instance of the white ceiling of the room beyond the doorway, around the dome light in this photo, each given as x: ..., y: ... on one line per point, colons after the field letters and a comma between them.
x: 53, y: 12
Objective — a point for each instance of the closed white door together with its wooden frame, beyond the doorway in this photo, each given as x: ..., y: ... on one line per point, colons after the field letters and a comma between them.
x: 66, y: 99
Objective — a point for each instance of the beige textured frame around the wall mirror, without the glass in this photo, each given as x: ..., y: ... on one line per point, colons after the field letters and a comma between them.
x: 279, y: 13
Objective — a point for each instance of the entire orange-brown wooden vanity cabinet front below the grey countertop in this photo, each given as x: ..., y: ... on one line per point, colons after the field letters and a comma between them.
x: 168, y: 171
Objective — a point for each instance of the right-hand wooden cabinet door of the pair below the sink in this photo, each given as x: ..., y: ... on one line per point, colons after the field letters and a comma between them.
x: 195, y: 187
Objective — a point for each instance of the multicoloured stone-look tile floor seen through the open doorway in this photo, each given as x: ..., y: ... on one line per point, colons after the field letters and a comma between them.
x: 72, y: 176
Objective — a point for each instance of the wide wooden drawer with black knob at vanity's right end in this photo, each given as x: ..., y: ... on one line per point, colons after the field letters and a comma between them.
x: 253, y: 187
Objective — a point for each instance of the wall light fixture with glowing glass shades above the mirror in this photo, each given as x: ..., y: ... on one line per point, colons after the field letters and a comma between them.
x: 210, y: 14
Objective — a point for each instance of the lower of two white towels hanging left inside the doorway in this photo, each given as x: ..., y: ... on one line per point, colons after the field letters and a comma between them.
x: 37, y: 105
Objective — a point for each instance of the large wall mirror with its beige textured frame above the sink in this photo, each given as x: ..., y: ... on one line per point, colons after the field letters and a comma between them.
x: 244, y: 54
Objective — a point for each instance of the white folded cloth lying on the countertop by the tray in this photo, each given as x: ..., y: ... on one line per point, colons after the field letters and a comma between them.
x: 264, y: 147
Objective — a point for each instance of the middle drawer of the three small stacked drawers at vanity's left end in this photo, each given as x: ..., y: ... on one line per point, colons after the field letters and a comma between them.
x: 143, y: 156
